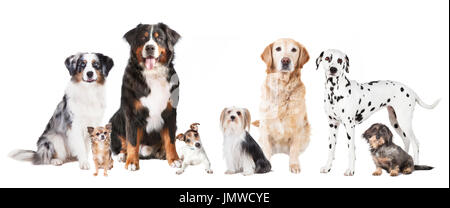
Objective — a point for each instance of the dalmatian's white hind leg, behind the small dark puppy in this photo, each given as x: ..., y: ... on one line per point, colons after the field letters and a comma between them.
x: 404, y: 118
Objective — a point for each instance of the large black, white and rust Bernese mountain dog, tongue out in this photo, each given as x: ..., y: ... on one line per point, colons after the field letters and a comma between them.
x: 145, y: 124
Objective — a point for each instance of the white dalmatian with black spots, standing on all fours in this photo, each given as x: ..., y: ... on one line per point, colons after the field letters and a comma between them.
x: 349, y: 103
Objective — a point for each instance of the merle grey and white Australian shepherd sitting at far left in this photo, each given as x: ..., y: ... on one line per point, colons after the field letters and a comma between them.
x: 83, y: 104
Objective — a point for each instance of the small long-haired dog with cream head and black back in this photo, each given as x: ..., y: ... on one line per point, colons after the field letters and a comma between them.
x: 241, y: 152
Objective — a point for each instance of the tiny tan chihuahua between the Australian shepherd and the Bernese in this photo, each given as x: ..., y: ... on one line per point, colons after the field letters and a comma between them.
x: 101, y: 140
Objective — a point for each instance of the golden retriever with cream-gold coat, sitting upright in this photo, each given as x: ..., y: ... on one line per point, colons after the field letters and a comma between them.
x: 284, y: 125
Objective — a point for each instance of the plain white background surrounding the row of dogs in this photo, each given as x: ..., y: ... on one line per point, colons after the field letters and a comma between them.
x: 219, y: 65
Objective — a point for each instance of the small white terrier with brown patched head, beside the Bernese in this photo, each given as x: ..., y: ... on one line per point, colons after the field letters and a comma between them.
x: 192, y: 152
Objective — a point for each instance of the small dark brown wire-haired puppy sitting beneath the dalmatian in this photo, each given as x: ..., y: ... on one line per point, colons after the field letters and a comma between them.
x: 387, y: 155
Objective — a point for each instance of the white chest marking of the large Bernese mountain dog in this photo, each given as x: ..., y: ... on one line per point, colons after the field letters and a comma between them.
x: 157, y: 100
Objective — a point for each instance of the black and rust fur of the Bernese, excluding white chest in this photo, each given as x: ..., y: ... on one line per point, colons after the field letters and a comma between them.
x: 130, y: 121
